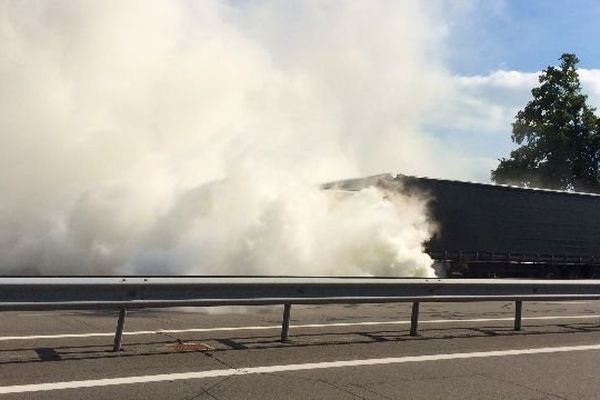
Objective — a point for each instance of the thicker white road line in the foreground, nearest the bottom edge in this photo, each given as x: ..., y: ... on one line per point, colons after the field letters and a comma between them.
x: 284, y: 368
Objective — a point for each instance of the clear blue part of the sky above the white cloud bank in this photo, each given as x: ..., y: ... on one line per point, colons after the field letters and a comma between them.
x: 525, y: 35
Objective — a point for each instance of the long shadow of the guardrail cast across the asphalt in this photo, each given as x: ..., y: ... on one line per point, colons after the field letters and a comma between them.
x: 172, y: 345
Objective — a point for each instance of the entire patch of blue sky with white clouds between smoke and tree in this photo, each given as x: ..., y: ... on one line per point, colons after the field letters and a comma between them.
x: 495, y: 51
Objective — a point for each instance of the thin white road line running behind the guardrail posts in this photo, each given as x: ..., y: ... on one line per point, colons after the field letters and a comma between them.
x: 299, y: 326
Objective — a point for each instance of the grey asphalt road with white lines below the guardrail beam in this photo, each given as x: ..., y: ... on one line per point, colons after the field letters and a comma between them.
x: 465, y: 351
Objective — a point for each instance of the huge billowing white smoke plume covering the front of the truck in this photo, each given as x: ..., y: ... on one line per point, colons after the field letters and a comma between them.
x: 190, y: 137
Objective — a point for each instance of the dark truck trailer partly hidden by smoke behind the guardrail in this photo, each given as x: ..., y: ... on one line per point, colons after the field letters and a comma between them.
x: 487, y: 230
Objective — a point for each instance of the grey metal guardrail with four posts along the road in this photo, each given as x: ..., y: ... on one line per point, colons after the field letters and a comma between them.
x: 122, y: 293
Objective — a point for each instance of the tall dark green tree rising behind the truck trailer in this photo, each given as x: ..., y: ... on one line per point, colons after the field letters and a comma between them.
x: 558, y: 134
